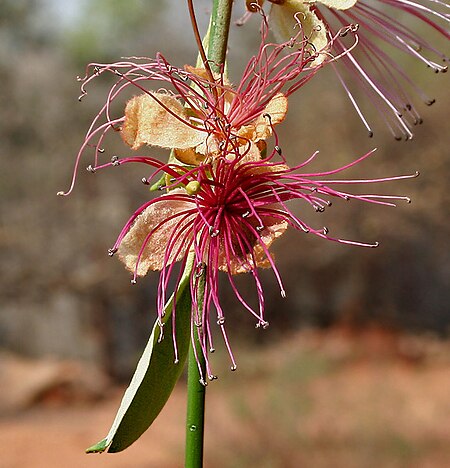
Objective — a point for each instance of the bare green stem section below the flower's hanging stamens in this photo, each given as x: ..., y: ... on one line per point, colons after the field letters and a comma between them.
x: 195, y: 409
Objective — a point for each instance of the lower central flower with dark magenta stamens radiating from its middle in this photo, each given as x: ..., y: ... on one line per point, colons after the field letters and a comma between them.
x: 226, y: 212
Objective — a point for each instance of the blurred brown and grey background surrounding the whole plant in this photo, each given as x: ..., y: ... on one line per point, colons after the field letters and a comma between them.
x: 354, y: 370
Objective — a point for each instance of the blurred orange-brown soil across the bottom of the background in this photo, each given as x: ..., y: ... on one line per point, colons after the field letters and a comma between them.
x: 339, y: 398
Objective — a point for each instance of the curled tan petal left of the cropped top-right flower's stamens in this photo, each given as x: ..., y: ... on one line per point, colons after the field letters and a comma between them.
x: 284, y: 25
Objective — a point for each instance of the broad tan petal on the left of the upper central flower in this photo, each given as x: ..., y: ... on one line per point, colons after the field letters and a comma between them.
x: 148, y: 122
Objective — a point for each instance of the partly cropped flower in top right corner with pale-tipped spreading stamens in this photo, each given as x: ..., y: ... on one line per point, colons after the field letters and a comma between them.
x: 372, y: 64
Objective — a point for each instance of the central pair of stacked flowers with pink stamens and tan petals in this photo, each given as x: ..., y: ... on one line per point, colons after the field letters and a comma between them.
x: 226, y: 194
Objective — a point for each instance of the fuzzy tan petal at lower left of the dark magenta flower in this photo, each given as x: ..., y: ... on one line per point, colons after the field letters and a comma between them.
x: 154, y: 253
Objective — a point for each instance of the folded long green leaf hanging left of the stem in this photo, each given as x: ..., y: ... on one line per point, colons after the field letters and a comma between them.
x: 155, y: 376
